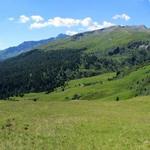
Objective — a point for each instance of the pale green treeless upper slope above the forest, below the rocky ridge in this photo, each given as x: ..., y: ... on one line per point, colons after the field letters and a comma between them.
x: 101, y: 40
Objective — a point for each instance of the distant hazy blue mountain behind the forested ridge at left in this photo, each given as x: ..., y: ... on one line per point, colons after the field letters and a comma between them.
x: 26, y: 46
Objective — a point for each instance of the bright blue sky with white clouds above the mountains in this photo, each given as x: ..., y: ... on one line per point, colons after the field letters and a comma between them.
x: 24, y: 20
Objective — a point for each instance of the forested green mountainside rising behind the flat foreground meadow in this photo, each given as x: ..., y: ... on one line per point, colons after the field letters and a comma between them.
x: 105, y: 60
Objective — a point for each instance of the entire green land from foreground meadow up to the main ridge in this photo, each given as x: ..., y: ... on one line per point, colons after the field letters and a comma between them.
x: 87, y: 91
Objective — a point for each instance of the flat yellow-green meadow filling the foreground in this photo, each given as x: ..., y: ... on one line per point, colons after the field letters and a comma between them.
x: 75, y: 125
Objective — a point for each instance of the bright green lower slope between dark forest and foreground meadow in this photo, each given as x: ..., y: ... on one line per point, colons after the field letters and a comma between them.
x: 103, y: 87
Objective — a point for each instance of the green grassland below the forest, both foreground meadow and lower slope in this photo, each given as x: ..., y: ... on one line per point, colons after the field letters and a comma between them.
x: 96, y: 113
